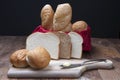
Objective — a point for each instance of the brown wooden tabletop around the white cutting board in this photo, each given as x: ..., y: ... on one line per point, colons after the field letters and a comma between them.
x: 101, y: 48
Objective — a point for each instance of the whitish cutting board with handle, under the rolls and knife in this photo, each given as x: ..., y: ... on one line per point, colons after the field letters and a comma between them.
x: 54, y: 70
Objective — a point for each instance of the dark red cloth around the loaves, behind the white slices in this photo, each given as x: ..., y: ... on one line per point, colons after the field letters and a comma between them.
x: 86, y: 35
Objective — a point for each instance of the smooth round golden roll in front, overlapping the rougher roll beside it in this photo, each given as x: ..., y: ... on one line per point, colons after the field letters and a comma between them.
x: 38, y: 58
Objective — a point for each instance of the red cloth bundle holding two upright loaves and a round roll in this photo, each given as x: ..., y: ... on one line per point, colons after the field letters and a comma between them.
x: 60, y: 20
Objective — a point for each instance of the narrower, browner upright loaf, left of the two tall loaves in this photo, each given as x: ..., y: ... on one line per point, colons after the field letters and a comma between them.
x: 47, y: 14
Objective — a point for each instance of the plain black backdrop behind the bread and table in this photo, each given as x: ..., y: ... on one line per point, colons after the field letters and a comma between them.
x: 20, y: 17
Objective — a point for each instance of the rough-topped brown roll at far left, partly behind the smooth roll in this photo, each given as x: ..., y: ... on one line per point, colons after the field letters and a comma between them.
x: 18, y: 58
